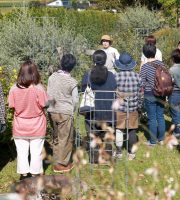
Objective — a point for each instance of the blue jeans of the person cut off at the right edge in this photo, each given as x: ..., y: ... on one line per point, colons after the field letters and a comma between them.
x: 174, y: 101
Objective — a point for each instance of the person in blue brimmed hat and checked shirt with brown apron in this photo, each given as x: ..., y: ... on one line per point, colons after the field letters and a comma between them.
x: 129, y: 100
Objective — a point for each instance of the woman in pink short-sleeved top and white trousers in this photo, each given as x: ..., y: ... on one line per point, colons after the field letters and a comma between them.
x: 28, y: 99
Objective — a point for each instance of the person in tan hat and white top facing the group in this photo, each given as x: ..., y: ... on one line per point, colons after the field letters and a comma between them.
x: 111, y: 52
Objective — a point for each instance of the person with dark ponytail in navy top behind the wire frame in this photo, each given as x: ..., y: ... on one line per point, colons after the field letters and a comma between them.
x: 103, y: 83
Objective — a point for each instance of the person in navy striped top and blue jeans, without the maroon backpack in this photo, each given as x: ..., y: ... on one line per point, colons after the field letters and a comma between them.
x: 154, y: 104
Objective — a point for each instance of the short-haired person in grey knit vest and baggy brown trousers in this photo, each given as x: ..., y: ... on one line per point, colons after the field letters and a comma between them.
x: 62, y: 90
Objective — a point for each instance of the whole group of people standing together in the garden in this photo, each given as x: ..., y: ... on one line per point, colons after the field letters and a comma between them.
x: 113, y: 73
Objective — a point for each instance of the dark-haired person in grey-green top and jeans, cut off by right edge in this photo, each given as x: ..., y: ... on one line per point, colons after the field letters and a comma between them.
x: 174, y: 99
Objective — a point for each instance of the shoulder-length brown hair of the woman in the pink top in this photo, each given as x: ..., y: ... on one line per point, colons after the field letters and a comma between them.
x: 28, y: 74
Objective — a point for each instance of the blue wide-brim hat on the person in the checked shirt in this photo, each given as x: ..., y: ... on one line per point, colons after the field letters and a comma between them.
x: 125, y: 62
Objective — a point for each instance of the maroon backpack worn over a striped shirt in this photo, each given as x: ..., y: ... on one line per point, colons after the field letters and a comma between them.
x: 163, y: 84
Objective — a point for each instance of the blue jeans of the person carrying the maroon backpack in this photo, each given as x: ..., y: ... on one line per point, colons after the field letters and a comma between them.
x: 156, y: 122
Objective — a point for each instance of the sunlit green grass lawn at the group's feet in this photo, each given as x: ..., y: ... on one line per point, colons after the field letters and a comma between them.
x: 153, y: 171
